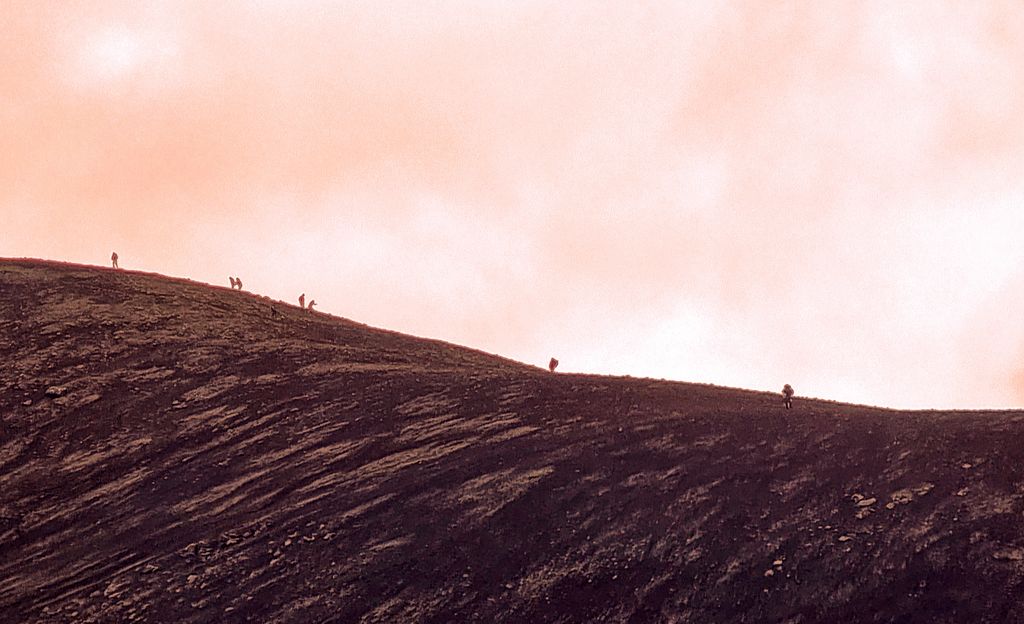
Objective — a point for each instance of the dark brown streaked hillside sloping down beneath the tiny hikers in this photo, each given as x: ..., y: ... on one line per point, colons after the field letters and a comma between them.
x: 206, y: 455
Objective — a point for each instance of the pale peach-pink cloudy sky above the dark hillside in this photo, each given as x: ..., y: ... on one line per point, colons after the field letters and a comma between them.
x: 747, y: 194
